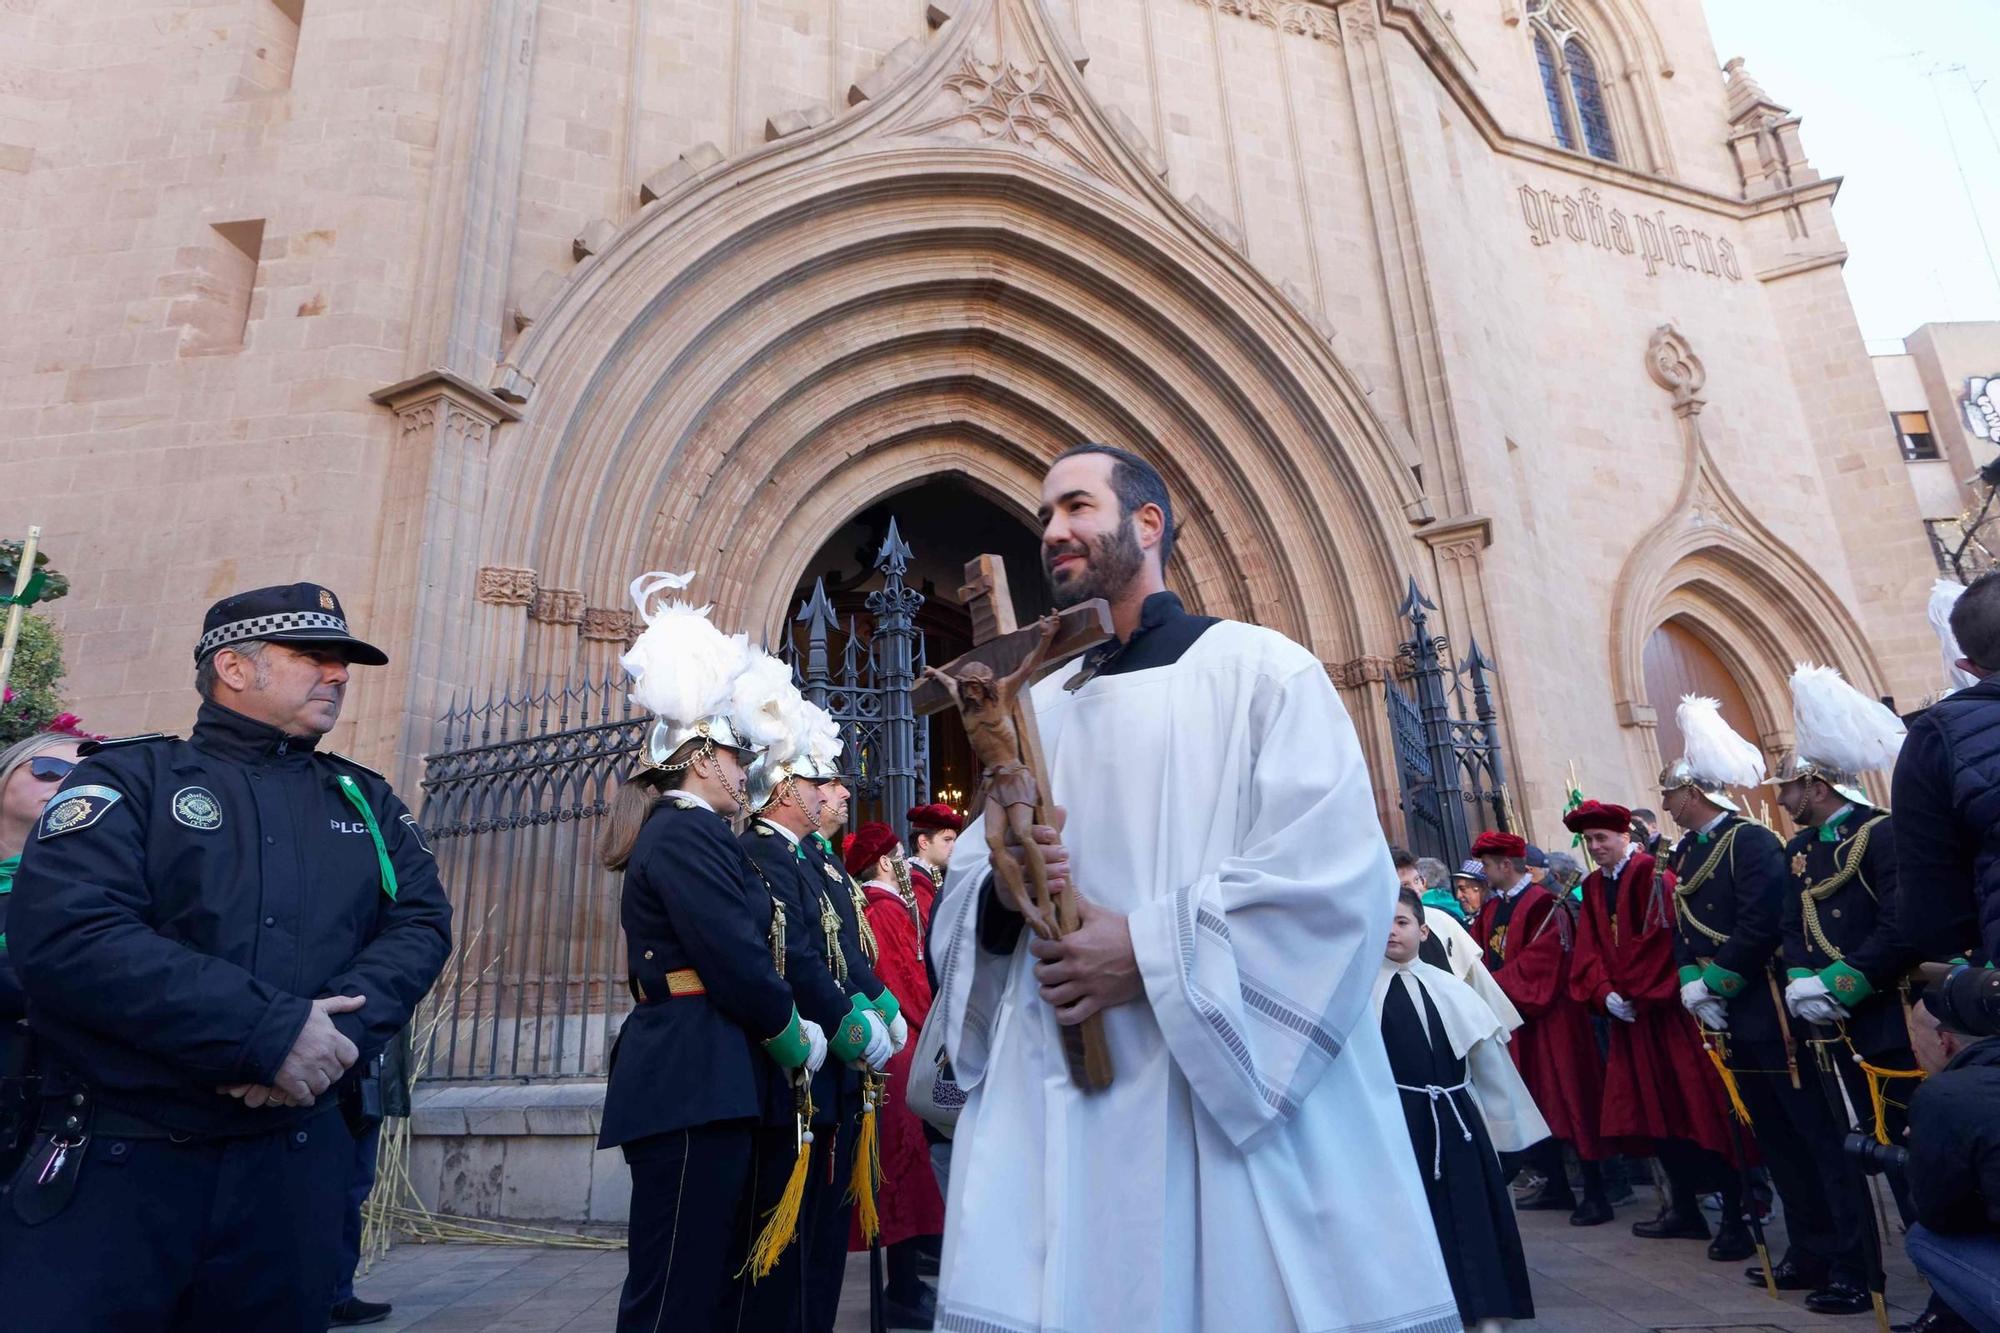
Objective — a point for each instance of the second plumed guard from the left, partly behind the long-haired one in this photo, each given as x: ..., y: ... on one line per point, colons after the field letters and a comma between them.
x: 789, y: 790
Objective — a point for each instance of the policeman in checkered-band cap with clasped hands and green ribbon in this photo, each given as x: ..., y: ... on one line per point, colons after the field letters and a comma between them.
x: 213, y: 934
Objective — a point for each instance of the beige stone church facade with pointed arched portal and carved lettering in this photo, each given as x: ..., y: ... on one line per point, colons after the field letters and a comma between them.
x: 475, y: 311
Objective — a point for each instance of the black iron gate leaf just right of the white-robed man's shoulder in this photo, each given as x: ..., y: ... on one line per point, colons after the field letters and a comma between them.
x: 1447, y: 736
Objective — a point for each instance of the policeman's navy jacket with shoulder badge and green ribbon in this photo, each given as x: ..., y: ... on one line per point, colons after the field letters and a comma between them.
x: 183, y: 904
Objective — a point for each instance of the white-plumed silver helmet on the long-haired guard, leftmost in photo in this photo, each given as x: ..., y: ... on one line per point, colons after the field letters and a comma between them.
x: 683, y: 672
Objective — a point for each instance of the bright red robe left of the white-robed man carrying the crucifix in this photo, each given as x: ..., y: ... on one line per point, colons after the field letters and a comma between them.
x: 909, y: 1200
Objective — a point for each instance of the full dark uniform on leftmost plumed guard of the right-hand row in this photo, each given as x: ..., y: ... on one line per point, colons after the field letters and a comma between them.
x: 1729, y: 902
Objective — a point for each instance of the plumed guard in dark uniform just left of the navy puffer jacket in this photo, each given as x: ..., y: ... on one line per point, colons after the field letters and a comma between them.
x: 1843, y: 968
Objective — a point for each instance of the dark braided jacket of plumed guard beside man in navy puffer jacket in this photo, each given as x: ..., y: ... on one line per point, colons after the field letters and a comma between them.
x: 1835, y: 912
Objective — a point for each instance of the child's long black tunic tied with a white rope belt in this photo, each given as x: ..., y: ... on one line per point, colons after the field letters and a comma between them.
x: 1469, y: 1198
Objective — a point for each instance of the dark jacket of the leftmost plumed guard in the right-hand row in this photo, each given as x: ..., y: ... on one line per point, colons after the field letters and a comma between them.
x: 1727, y: 910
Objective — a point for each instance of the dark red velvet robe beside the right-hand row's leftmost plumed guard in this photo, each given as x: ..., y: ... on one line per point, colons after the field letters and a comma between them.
x: 1659, y: 1082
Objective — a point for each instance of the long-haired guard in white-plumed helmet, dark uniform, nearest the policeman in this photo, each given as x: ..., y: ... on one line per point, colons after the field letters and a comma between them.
x: 715, y: 1038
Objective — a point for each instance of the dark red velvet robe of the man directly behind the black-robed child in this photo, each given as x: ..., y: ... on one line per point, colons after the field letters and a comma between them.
x: 1555, y: 1048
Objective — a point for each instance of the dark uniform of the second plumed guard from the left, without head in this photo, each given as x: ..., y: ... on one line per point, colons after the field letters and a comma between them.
x: 823, y: 988
